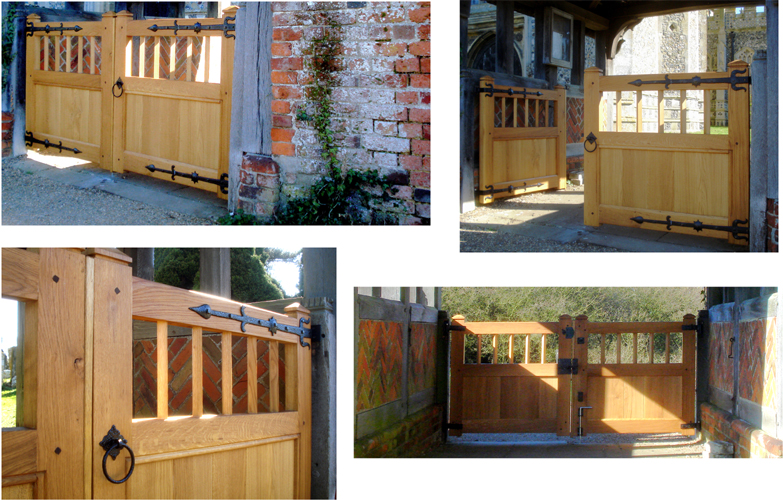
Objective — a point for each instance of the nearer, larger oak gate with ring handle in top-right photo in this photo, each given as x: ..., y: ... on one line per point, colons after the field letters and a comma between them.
x: 634, y: 177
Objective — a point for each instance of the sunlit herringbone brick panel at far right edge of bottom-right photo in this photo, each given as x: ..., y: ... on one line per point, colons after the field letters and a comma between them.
x: 757, y: 362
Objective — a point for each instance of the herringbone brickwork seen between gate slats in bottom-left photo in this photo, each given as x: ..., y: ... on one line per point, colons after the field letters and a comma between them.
x: 180, y: 376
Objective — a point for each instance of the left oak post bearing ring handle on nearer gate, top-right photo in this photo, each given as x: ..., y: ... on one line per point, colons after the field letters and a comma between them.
x: 592, y: 175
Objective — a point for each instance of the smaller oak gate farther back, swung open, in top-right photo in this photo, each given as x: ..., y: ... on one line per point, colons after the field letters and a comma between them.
x: 522, y: 141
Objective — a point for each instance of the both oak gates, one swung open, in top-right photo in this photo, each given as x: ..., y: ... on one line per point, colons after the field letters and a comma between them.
x: 637, y: 173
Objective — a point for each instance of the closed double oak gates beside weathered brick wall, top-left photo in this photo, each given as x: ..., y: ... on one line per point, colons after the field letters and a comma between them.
x: 128, y: 94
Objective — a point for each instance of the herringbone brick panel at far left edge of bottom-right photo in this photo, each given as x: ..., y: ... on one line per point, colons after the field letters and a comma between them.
x: 379, y: 364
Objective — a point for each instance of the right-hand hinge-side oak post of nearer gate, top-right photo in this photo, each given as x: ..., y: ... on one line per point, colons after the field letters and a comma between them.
x: 739, y: 141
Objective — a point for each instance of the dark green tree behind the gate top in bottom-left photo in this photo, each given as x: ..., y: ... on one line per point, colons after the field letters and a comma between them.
x: 250, y: 281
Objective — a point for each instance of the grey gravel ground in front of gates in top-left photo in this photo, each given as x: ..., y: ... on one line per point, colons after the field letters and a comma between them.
x: 33, y: 200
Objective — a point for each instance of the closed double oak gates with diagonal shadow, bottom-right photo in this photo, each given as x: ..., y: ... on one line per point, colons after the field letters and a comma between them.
x: 619, y: 377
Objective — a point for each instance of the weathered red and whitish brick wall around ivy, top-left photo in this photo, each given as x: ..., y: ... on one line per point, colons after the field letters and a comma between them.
x: 382, y: 101
